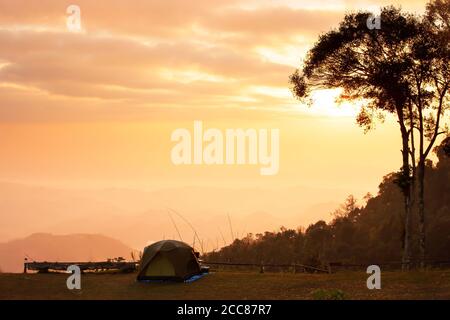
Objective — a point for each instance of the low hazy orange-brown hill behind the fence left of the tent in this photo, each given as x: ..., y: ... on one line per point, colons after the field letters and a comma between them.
x: 49, y: 247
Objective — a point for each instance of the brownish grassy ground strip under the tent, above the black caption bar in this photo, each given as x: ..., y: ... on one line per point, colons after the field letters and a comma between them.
x: 230, y: 285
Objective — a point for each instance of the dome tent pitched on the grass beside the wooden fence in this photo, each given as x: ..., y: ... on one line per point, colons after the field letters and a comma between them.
x: 168, y: 260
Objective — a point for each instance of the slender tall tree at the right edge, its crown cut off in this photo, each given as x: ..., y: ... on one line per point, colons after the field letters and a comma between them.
x: 430, y: 85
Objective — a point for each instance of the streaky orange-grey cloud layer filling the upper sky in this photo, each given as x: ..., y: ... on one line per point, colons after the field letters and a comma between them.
x: 153, y: 54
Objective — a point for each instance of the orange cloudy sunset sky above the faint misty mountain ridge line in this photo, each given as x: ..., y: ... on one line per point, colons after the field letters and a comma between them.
x: 96, y: 108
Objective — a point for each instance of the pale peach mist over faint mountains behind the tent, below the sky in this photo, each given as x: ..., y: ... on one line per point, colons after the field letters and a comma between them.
x: 139, y: 217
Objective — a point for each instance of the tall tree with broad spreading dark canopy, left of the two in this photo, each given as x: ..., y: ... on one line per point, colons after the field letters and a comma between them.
x: 370, y: 66
